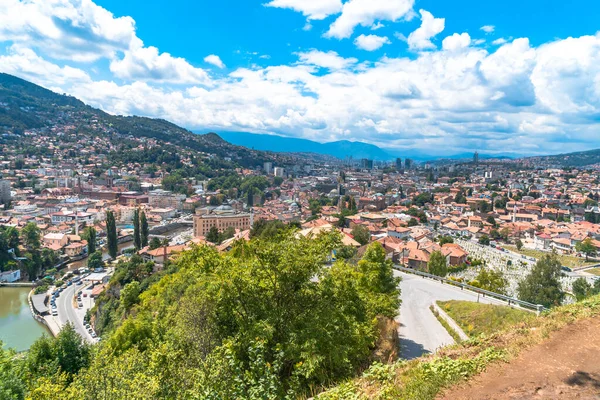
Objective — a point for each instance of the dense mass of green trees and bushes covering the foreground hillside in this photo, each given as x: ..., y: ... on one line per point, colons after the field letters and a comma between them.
x: 271, y: 319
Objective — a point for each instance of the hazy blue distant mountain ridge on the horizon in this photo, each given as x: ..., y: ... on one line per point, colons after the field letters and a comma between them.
x: 340, y: 149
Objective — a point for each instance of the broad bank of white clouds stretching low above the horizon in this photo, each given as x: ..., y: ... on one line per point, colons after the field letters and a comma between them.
x: 515, y: 97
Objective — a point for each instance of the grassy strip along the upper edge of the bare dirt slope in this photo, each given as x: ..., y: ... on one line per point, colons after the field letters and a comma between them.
x: 425, y: 378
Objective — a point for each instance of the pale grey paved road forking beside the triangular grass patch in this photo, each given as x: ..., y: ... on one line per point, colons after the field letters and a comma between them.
x: 420, y: 331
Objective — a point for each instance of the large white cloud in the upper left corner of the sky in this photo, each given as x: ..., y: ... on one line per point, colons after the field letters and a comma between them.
x: 81, y: 31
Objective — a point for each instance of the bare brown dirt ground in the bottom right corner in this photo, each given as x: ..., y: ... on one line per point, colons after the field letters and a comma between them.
x: 566, y: 366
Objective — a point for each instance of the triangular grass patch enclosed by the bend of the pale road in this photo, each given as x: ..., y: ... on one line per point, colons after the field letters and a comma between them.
x: 476, y: 318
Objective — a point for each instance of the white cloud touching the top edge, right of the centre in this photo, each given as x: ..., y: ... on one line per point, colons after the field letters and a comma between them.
x: 366, y: 12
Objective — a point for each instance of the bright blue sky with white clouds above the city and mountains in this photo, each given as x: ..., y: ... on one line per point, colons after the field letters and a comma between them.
x: 429, y: 76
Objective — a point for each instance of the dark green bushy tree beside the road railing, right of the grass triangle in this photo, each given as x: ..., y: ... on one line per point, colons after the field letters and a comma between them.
x: 542, y: 285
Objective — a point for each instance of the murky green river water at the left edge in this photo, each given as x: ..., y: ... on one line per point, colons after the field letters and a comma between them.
x: 18, y: 329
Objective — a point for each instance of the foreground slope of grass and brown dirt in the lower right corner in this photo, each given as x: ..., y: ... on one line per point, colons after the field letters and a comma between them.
x: 526, y: 346
